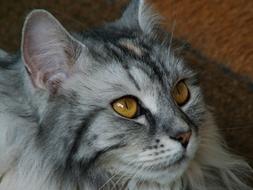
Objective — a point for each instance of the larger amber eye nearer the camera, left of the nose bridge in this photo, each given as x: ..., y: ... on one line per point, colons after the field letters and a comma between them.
x: 126, y: 106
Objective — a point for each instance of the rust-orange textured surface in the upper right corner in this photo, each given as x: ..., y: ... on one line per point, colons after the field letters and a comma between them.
x: 221, y: 29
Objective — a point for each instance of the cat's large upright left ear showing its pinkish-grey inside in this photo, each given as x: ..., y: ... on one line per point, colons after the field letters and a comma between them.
x: 48, y: 50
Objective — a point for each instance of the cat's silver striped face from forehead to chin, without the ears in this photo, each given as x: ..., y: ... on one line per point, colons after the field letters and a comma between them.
x: 143, y: 144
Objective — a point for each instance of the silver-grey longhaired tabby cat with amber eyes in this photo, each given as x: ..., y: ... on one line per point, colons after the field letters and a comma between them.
x: 113, y: 108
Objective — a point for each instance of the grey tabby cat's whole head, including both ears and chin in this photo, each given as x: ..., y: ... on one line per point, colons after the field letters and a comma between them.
x: 117, y: 98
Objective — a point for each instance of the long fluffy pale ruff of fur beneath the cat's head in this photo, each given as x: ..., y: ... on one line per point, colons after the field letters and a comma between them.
x: 212, y: 168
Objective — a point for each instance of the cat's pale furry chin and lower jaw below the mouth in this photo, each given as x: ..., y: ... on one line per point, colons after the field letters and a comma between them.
x: 162, y: 173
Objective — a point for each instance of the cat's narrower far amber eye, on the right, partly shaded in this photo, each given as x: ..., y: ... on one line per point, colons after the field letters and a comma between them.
x: 181, y: 93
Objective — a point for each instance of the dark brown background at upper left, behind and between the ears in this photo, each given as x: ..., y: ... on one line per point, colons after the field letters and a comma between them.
x: 76, y: 15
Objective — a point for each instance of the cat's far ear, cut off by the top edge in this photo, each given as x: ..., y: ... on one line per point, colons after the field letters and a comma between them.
x: 139, y: 14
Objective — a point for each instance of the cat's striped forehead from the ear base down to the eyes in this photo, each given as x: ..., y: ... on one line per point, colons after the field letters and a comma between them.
x: 129, y: 67
